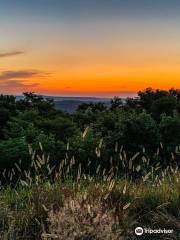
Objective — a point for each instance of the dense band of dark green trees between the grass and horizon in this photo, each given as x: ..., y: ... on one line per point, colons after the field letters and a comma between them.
x: 146, y: 124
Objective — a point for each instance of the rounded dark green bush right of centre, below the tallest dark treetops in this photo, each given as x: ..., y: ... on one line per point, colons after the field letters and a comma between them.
x: 135, y: 131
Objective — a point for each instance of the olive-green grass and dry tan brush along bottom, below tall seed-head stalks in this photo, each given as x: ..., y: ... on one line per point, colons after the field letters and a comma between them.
x: 90, y: 209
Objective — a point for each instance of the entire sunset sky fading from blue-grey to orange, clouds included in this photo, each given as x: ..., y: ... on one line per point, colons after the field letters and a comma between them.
x: 98, y: 48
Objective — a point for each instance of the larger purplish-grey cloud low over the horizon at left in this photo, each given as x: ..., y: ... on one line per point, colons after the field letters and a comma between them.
x: 18, y: 79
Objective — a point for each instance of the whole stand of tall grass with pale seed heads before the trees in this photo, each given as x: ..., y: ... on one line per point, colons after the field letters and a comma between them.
x: 65, y: 202
